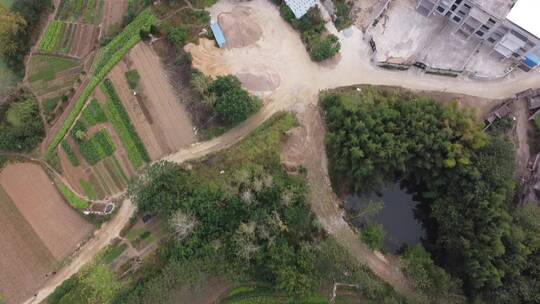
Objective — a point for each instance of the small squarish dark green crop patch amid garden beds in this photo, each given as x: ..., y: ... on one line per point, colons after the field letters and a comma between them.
x: 97, y: 147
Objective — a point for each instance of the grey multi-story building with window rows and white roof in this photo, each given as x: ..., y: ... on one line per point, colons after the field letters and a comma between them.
x: 510, y: 27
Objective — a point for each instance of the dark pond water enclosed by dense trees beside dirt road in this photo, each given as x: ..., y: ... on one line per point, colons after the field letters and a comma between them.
x: 397, y: 217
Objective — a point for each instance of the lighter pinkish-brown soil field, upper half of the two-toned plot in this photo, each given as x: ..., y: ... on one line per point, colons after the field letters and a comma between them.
x: 59, y: 227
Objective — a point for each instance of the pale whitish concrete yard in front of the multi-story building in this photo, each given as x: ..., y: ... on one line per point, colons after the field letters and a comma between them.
x: 405, y: 36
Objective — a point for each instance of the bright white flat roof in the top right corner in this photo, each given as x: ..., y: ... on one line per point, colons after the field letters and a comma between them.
x: 525, y: 15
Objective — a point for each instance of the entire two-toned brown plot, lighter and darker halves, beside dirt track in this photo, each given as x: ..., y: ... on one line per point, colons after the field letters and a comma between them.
x: 38, y: 229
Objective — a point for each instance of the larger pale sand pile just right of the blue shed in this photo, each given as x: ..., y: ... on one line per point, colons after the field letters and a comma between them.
x: 239, y: 28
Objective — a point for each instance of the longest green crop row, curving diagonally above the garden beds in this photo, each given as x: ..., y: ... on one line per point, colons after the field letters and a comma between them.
x: 114, y: 52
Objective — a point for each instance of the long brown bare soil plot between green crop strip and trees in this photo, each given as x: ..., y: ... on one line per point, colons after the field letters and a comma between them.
x: 159, y: 117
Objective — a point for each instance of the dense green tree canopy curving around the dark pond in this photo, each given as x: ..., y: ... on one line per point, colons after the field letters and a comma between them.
x: 463, y: 176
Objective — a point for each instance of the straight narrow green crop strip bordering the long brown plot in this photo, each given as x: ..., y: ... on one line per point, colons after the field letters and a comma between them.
x: 119, y: 118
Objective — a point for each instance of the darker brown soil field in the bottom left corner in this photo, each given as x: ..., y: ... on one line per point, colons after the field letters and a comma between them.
x: 25, y: 259
